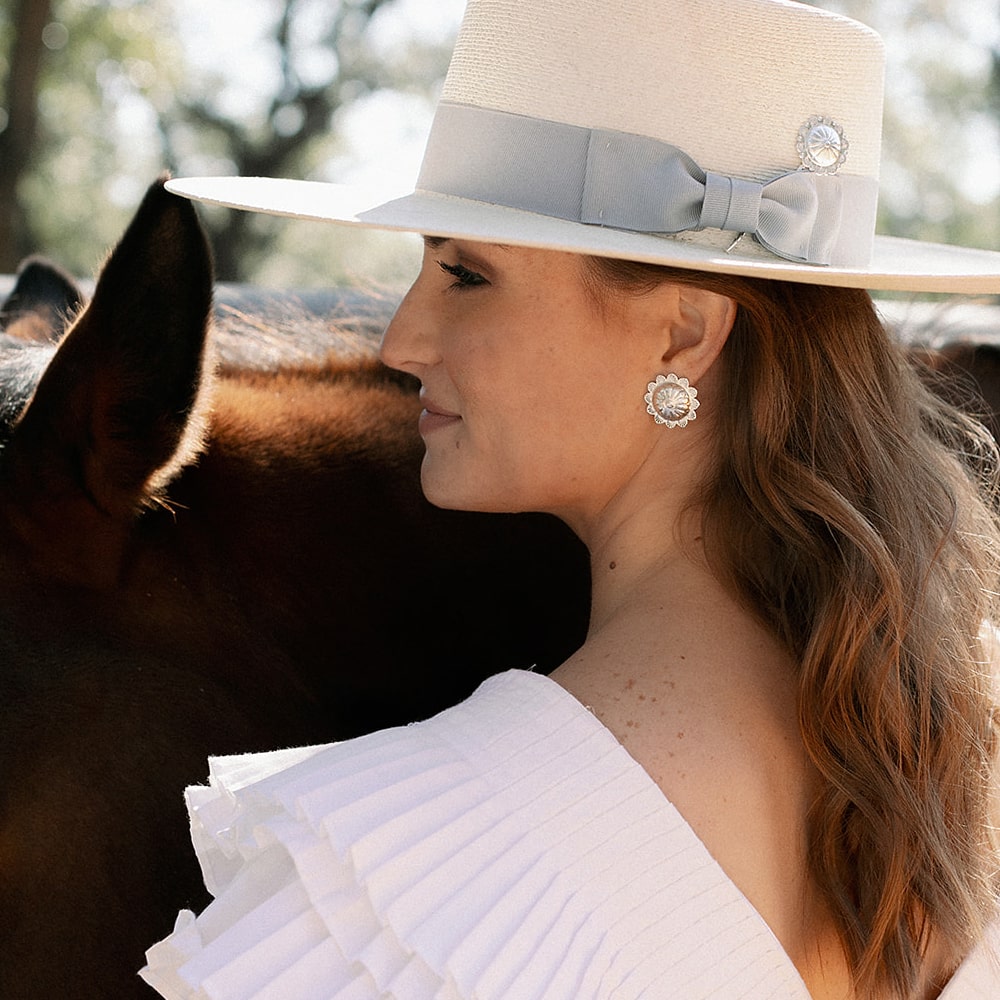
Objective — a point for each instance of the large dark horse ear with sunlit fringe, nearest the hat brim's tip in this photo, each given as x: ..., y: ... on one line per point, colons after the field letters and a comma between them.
x: 119, y: 409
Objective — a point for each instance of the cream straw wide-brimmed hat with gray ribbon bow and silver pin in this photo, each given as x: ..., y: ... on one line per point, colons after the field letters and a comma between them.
x: 653, y: 130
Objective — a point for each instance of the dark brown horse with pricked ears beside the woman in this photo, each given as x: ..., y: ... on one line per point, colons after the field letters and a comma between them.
x: 195, y: 563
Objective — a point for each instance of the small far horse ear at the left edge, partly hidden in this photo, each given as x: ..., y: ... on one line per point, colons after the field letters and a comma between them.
x: 41, y: 304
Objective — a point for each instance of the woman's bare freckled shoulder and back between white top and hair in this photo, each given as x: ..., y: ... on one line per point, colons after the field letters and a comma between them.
x: 716, y: 730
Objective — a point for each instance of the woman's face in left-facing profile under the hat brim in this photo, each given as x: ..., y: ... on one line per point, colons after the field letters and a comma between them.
x: 532, y: 393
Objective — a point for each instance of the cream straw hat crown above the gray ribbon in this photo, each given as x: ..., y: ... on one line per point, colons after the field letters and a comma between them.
x: 730, y: 82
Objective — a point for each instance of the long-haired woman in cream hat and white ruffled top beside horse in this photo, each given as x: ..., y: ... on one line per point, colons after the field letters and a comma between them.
x: 768, y: 771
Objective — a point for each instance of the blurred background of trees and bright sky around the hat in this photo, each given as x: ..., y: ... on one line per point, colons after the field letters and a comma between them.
x: 97, y: 97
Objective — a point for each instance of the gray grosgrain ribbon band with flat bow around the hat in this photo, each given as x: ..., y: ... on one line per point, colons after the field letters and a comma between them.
x: 632, y: 182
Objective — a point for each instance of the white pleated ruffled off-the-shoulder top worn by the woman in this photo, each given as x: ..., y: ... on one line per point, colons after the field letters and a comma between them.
x: 506, y: 848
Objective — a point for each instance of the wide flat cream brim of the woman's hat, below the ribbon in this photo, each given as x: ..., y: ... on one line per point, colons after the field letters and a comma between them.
x: 897, y: 264
